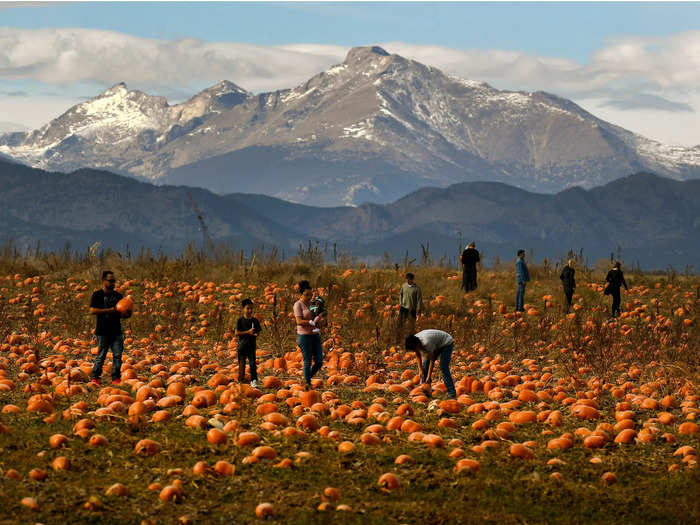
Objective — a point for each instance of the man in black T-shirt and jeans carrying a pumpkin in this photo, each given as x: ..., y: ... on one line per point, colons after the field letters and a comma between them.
x: 108, y: 329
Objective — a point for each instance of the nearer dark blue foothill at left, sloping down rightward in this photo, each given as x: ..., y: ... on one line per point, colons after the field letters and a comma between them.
x: 114, y: 209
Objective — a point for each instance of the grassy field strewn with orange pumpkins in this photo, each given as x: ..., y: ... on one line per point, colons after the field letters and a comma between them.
x: 560, y: 418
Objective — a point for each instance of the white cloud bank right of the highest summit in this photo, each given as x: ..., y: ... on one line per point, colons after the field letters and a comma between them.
x: 634, y: 64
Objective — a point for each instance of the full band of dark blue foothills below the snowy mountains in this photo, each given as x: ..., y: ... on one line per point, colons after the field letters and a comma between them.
x: 652, y: 220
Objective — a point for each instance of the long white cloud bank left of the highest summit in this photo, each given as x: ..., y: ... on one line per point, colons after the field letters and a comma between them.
x: 66, y: 56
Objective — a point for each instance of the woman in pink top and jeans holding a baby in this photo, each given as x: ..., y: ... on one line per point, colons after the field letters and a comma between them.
x: 308, y: 340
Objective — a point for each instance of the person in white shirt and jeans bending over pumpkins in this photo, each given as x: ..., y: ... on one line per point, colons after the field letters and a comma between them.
x: 428, y: 345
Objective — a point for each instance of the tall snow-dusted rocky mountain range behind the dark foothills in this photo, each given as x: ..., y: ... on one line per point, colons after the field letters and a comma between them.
x: 372, y: 129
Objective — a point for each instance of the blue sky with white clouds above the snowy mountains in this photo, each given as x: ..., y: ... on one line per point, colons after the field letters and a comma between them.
x: 631, y: 63
